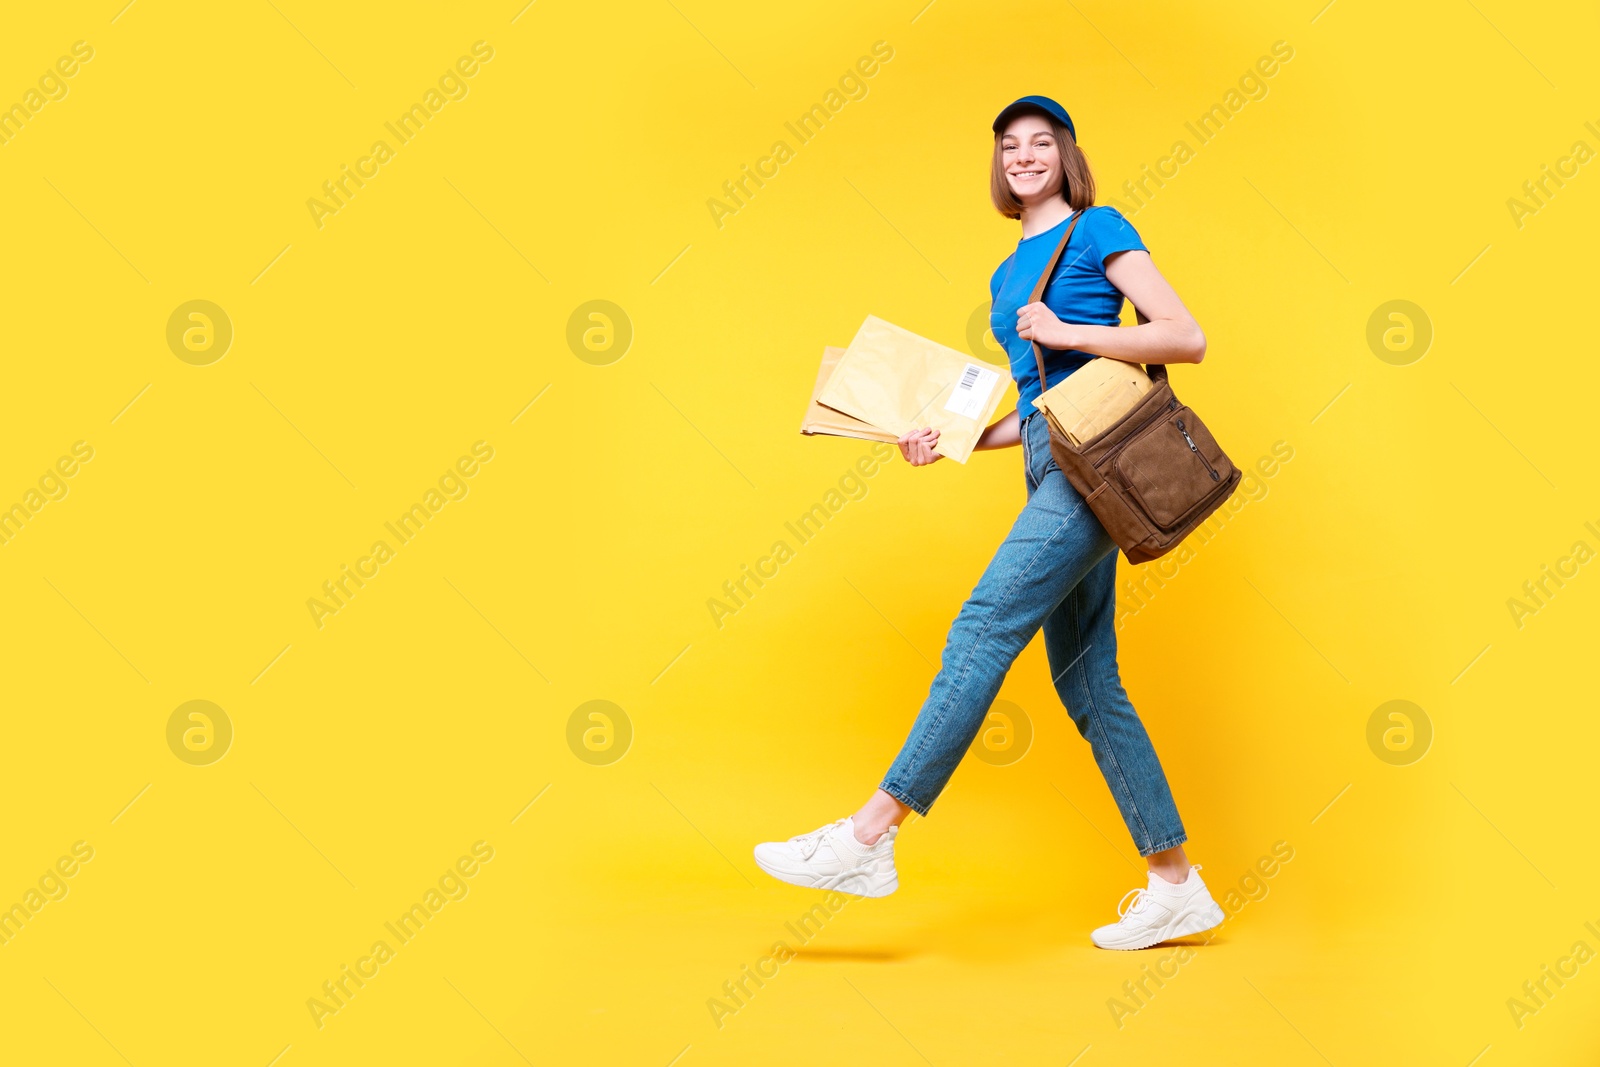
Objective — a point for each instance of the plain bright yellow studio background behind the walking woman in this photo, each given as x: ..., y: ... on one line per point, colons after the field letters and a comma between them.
x: 426, y: 716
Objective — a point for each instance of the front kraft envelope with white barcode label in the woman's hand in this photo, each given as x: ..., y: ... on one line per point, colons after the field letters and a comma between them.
x: 898, y: 382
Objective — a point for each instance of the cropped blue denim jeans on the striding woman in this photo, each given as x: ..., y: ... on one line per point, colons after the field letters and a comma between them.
x: 1055, y: 570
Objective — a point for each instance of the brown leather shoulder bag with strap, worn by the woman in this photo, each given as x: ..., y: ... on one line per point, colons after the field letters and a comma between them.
x: 1156, y: 474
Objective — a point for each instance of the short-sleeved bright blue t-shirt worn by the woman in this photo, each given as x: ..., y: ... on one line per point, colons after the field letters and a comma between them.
x: 1079, y: 294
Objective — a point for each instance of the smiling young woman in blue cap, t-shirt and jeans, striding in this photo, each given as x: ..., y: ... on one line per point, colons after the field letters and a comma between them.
x: 1058, y: 567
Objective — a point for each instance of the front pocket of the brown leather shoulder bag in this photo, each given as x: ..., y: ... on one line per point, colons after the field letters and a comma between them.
x: 1175, y: 468
